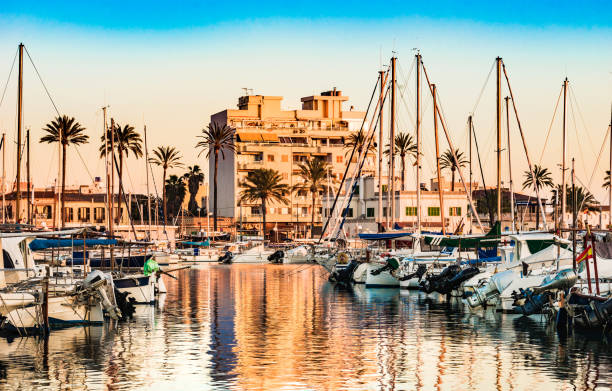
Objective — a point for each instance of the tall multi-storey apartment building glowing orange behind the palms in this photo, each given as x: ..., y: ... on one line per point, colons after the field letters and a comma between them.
x: 269, y: 137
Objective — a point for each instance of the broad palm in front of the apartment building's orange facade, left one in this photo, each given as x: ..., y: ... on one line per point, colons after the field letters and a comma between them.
x: 264, y: 184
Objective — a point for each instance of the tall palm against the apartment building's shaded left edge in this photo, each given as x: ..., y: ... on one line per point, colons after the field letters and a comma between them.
x: 217, y: 138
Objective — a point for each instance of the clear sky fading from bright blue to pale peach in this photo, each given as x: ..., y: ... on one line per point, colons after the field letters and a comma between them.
x: 171, y: 66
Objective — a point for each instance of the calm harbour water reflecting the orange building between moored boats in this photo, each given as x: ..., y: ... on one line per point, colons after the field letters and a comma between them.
x: 280, y: 327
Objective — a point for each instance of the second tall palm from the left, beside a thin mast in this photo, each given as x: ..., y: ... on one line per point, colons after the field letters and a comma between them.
x: 126, y: 139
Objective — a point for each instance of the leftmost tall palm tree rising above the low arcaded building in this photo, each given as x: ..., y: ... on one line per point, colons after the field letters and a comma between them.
x: 66, y: 131
